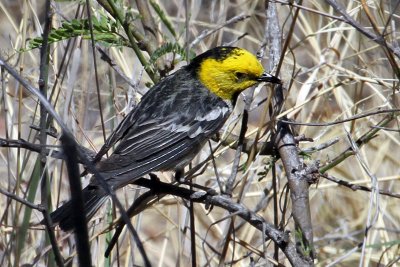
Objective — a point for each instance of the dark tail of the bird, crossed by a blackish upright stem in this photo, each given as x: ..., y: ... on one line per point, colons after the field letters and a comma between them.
x: 93, y: 198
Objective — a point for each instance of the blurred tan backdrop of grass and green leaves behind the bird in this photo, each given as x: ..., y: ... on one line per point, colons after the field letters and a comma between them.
x: 331, y: 71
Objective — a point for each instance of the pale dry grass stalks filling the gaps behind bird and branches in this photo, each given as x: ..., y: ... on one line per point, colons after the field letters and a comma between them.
x: 339, y: 73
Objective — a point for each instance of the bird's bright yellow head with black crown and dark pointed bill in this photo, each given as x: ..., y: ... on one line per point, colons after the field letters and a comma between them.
x: 227, y: 71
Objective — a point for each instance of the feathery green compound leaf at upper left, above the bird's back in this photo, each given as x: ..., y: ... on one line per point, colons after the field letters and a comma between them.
x: 104, y: 31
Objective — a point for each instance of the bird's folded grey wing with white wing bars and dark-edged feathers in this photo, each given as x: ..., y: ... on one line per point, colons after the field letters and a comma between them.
x: 156, y: 146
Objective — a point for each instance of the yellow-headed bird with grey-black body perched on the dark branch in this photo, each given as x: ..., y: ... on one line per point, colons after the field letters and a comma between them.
x: 171, y: 123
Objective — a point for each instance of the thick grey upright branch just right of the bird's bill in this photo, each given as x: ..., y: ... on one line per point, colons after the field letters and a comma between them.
x: 286, y: 146
